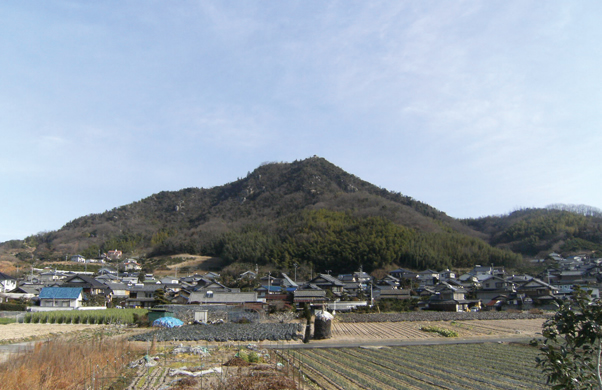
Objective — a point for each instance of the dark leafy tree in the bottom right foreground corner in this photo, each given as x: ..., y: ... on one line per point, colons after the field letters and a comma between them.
x: 571, y: 352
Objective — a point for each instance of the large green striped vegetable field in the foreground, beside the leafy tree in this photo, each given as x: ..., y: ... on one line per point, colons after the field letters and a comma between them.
x: 460, y: 366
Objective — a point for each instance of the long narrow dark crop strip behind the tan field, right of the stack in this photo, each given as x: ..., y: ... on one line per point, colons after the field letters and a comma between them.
x: 435, y: 316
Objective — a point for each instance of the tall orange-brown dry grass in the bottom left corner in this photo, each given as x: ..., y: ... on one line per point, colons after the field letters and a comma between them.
x: 67, y: 363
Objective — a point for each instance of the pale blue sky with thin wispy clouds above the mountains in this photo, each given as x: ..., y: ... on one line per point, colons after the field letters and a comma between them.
x: 474, y: 107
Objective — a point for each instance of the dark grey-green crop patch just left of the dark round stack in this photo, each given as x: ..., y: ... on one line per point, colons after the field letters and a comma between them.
x: 226, y: 332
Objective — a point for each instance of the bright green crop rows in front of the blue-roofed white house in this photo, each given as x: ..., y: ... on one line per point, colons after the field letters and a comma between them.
x: 108, y: 316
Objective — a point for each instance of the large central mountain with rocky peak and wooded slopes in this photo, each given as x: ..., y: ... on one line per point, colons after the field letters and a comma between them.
x: 308, y: 211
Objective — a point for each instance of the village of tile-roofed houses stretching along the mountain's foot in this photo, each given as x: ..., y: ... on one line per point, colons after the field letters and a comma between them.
x: 484, y: 287
